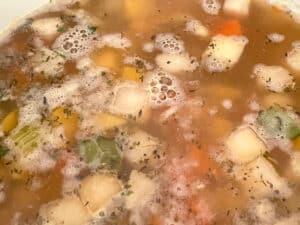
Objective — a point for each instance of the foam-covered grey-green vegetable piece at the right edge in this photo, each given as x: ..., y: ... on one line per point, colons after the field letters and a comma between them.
x: 276, y: 121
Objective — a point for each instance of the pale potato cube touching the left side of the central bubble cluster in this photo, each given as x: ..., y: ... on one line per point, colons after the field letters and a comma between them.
x: 129, y: 99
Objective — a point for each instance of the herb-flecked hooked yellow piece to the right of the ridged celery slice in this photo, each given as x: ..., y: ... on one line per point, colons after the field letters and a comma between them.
x: 68, y: 119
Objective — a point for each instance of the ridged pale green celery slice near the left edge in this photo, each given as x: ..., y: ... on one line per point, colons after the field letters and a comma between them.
x: 26, y: 139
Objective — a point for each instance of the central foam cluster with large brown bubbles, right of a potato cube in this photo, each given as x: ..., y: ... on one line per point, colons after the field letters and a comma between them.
x: 163, y: 88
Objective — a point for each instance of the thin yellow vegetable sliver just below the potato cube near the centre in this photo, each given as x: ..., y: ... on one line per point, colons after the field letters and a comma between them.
x: 107, y: 121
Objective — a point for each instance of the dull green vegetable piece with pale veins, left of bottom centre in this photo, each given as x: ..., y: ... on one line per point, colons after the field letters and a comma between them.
x: 100, y: 152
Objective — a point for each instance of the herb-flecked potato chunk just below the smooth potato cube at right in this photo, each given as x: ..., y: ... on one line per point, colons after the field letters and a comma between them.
x: 260, y: 179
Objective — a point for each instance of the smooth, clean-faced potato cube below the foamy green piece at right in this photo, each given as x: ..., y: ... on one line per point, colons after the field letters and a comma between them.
x: 244, y: 146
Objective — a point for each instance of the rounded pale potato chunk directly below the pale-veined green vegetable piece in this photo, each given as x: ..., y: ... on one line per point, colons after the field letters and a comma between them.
x: 97, y: 190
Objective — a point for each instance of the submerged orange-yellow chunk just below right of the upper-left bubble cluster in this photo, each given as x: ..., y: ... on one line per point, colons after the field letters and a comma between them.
x: 109, y: 58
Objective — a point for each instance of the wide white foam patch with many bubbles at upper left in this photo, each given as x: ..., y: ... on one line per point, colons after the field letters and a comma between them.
x: 76, y: 42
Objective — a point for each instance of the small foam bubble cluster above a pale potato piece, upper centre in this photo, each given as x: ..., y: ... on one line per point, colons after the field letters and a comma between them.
x: 169, y: 43
